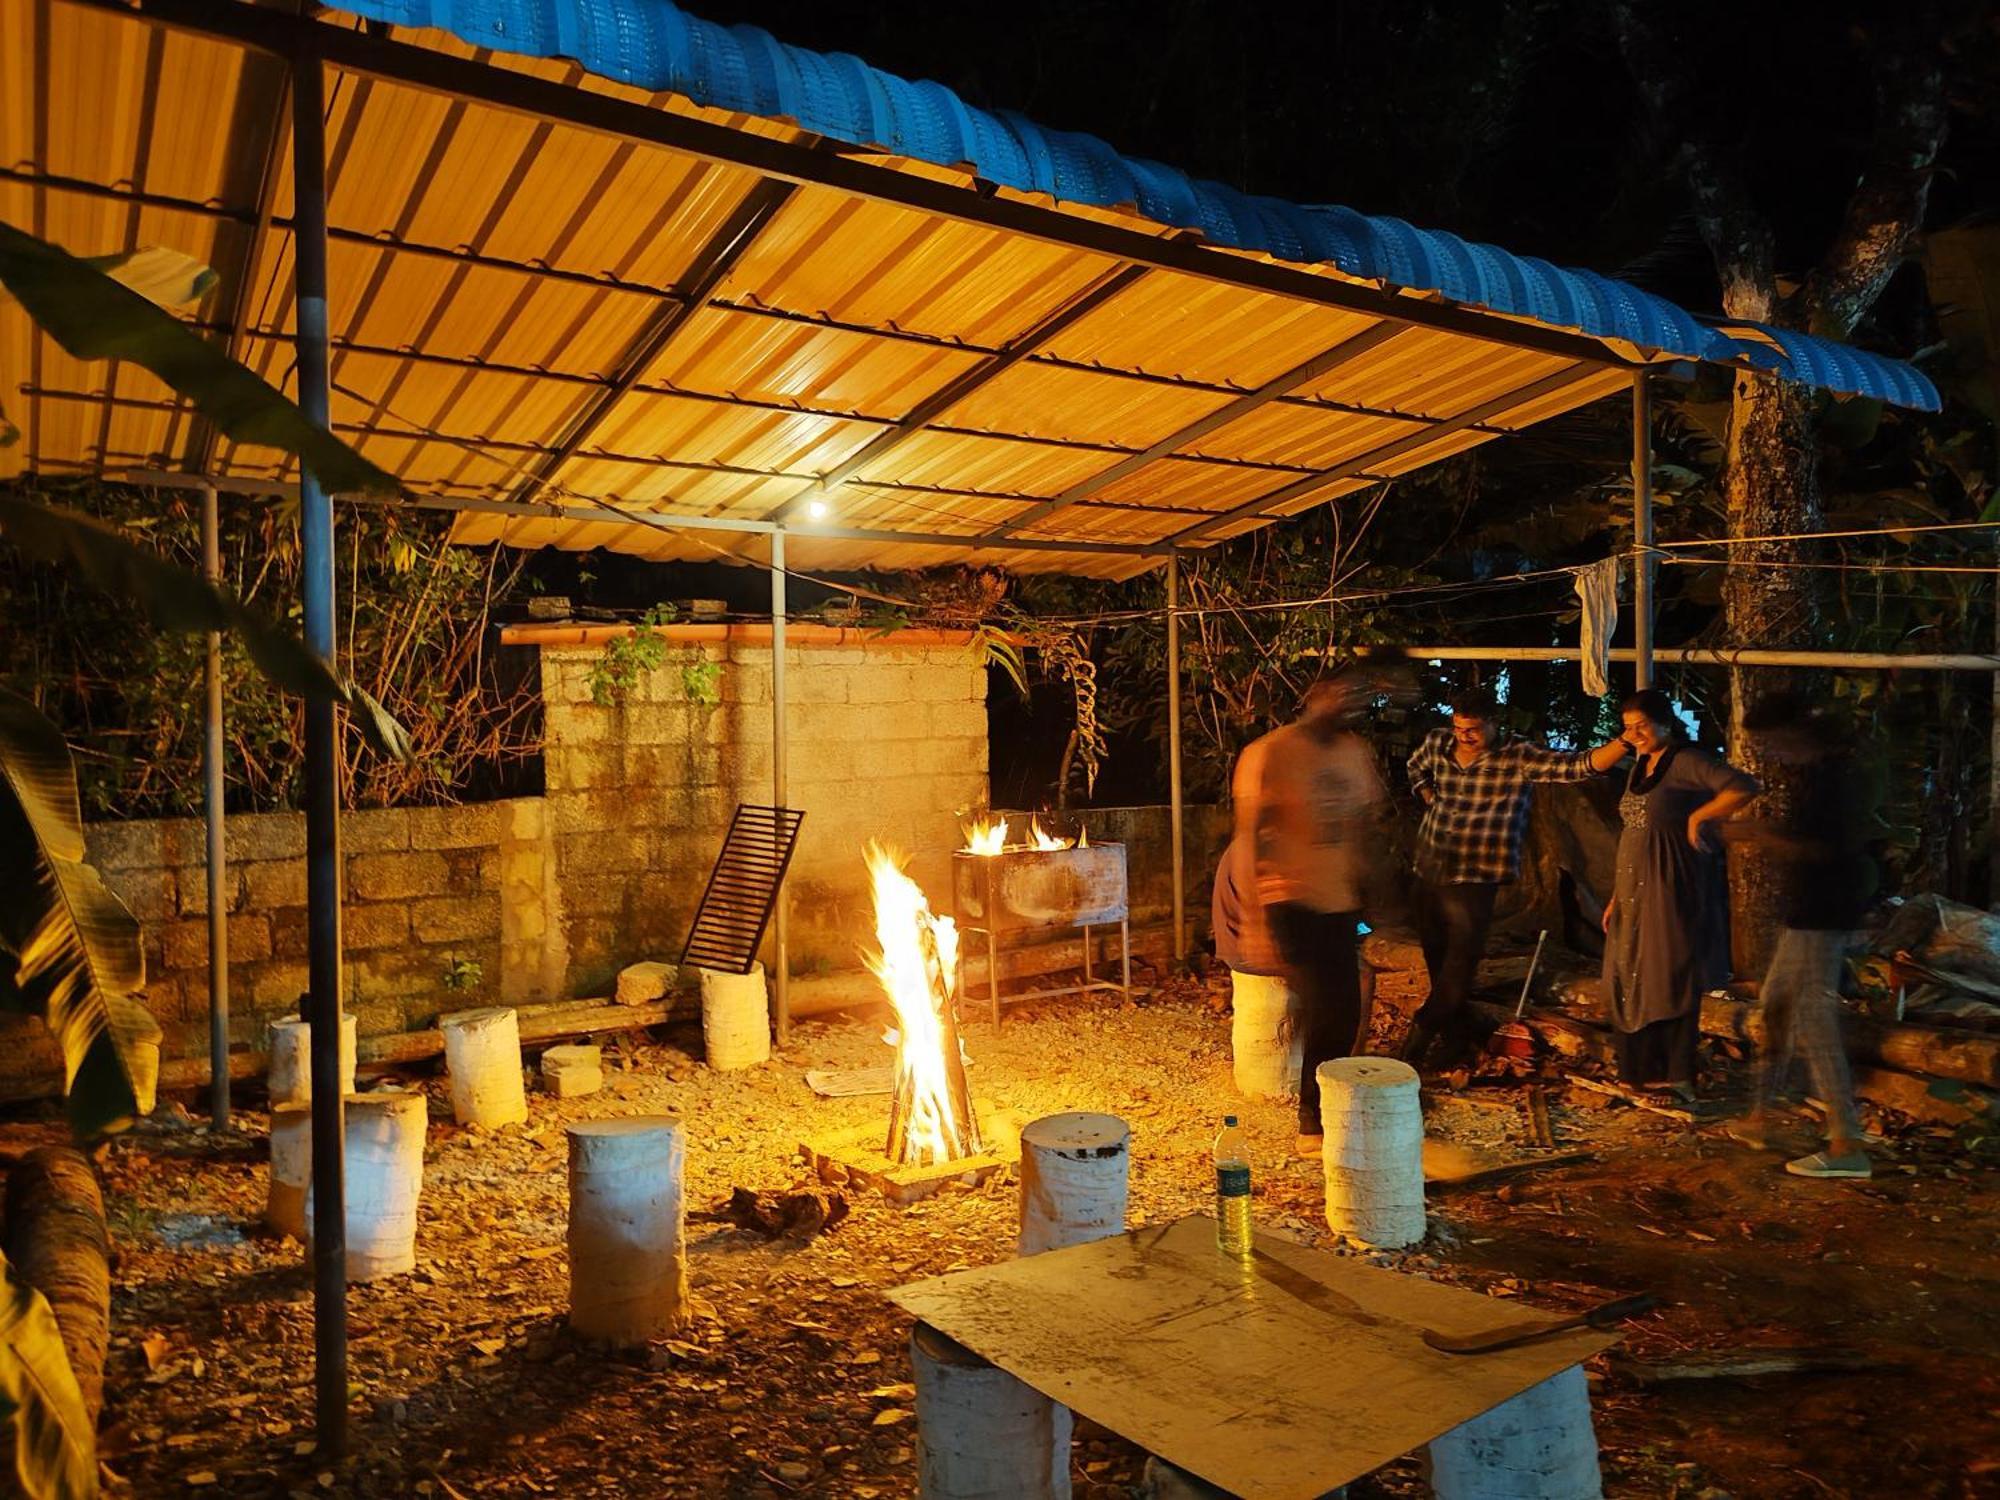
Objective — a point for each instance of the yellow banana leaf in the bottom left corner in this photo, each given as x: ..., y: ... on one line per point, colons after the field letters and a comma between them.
x: 55, y: 1453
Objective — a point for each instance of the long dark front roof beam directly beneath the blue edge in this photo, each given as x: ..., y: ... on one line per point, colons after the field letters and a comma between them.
x: 803, y: 163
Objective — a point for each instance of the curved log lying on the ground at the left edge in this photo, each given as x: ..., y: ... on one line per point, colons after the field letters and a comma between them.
x: 59, y: 1245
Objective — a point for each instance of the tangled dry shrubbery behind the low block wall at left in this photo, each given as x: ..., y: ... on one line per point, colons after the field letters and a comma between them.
x: 129, y: 697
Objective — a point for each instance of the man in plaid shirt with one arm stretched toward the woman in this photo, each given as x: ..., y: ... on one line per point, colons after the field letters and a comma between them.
x: 1473, y: 781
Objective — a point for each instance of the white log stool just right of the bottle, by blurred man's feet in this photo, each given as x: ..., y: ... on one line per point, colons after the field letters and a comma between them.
x: 1375, y: 1151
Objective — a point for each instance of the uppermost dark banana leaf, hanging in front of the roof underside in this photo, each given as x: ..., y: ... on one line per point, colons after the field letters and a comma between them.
x: 95, y: 317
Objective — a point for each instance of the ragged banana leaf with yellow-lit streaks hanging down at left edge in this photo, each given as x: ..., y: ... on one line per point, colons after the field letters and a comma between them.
x: 69, y: 947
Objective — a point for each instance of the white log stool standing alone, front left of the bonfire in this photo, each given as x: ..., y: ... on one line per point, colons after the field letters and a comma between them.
x: 629, y: 1263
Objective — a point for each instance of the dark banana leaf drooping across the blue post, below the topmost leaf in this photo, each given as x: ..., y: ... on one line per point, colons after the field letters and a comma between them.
x: 175, y: 599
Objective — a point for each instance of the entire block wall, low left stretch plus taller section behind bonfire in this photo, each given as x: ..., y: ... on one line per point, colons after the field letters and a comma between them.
x: 551, y: 897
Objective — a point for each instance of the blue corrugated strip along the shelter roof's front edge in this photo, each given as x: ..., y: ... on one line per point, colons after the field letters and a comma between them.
x: 659, y: 47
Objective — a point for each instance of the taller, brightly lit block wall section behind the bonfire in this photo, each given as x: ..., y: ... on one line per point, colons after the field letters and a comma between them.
x: 887, y: 739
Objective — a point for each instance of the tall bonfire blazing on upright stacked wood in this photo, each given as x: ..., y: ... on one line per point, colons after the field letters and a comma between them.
x: 931, y: 1115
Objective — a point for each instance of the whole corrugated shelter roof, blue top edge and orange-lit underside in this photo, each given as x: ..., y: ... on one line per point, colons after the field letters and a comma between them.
x: 981, y: 389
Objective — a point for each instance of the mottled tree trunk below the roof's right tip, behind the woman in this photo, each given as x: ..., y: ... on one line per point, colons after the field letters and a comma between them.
x: 1773, y: 489
